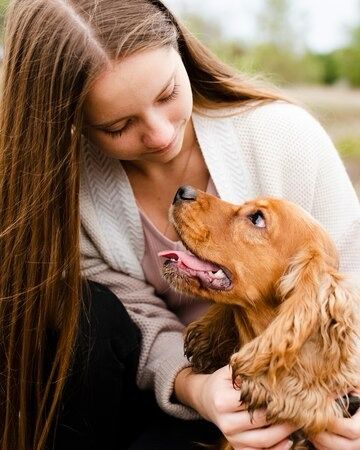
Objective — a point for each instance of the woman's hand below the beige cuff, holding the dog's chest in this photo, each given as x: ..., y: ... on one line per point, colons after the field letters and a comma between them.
x: 215, y: 398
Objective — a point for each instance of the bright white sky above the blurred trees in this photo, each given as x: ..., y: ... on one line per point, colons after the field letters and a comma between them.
x: 325, y: 22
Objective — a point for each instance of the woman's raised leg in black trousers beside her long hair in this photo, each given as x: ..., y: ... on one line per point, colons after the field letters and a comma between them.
x: 102, y: 381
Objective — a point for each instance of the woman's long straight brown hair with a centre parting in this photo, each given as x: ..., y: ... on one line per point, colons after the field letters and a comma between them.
x: 54, y: 50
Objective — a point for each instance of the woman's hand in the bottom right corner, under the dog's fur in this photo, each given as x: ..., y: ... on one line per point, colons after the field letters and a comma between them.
x: 344, y: 434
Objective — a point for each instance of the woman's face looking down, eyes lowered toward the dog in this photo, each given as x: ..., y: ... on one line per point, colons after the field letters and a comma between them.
x: 139, y: 109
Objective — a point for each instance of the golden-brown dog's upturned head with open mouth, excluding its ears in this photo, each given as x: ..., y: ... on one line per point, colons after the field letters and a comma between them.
x: 240, y: 252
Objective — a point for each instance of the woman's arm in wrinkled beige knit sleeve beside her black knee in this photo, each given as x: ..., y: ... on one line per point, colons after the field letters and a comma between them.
x: 162, y: 353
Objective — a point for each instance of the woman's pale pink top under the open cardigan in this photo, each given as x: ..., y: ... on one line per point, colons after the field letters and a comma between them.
x: 185, y: 307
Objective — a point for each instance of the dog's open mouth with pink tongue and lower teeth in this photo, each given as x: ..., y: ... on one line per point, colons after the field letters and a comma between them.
x: 210, y: 275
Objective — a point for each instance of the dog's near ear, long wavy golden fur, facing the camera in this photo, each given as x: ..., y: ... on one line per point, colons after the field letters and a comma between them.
x: 313, y: 300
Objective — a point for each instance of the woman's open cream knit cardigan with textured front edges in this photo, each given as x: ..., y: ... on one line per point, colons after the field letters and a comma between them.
x: 276, y: 149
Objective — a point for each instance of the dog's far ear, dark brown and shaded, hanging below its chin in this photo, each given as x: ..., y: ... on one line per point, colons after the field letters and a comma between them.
x: 211, y: 340
